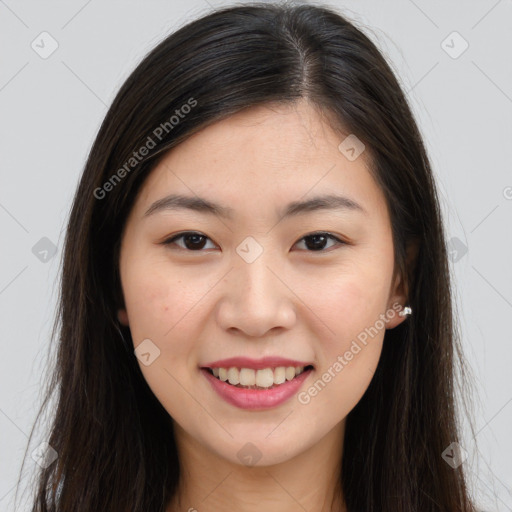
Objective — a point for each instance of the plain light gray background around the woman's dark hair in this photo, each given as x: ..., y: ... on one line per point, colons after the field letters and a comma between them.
x: 52, y: 108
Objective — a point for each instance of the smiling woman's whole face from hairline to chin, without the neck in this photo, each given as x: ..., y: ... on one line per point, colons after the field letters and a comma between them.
x: 304, y: 287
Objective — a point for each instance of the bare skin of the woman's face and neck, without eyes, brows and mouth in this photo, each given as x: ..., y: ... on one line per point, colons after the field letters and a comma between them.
x: 204, y: 304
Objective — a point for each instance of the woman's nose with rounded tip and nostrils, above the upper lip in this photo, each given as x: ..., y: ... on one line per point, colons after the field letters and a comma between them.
x: 256, y: 299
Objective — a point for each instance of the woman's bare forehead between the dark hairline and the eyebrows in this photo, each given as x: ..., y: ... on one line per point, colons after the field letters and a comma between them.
x: 269, y: 154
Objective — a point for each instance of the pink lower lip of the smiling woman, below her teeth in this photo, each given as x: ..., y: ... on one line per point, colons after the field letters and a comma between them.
x: 256, y: 398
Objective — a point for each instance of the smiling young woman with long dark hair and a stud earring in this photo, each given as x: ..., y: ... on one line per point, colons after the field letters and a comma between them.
x: 255, y: 309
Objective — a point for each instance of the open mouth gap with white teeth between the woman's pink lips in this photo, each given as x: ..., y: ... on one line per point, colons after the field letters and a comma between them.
x: 258, y: 379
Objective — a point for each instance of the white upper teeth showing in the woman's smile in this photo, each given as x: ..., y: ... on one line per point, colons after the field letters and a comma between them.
x: 264, y: 378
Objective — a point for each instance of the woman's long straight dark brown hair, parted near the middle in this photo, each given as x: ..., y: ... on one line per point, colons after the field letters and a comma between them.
x: 114, y: 440
